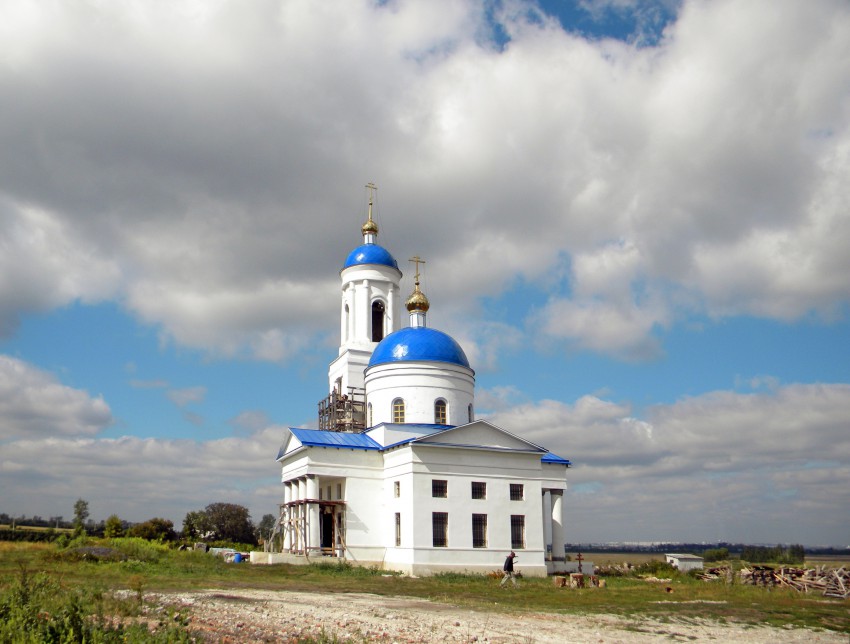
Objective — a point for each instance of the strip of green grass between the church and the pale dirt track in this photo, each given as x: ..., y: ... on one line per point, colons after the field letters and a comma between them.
x: 155, y: 569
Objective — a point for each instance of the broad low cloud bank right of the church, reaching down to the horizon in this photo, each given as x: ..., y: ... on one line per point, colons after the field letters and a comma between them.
x: 722, y: 466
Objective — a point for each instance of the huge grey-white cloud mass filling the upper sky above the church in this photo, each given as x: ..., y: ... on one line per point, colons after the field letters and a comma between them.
x: 203, y: 164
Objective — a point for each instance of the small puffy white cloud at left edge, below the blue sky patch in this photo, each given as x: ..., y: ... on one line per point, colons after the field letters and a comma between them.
x: 33, y: 404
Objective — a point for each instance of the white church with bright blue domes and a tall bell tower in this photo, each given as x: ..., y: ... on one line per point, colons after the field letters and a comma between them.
x: 399, y: 473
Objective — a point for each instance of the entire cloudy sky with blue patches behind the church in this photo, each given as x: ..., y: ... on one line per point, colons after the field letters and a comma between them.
x: 635, y: 217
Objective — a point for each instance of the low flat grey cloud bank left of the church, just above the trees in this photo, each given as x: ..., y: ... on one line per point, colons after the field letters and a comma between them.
x: 140, y: 478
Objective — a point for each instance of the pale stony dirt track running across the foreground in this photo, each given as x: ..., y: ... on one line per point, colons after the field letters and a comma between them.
x: 280, y: 616
